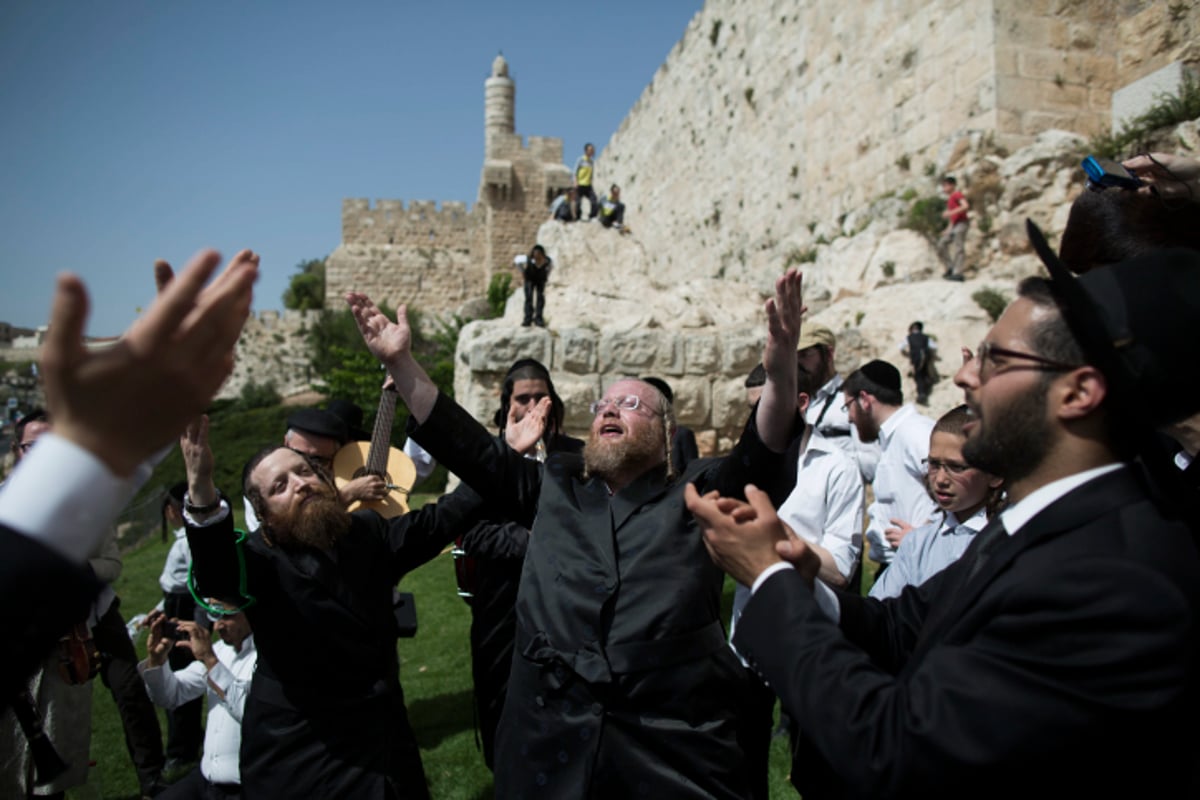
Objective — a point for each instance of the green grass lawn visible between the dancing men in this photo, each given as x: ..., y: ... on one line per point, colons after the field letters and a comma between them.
x: 435, y: 671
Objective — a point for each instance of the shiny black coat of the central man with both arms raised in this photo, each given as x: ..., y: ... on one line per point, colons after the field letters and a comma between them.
x: 622, y: 682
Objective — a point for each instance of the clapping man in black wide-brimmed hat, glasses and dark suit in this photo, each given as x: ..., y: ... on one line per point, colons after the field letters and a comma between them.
x: 1058, y: 658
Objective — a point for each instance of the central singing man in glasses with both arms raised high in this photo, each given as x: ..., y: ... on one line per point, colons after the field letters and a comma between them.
x: 622, y: 683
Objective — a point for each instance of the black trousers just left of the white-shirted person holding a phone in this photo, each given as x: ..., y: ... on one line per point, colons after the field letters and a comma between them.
x: 119, y: 671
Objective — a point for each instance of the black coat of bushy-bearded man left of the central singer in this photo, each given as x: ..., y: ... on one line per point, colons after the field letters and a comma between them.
x: 326, y: 714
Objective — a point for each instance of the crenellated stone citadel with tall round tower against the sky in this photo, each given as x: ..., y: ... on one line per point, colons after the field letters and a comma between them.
x: 439, y: 260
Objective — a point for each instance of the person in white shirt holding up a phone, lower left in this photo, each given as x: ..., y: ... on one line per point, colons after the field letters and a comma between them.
x: 223, y: 671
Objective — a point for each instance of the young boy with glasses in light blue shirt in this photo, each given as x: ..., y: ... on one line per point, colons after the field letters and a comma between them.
x: 968, y: 498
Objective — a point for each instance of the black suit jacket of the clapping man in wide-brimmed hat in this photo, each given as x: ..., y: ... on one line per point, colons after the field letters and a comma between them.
x: 1067, y: 666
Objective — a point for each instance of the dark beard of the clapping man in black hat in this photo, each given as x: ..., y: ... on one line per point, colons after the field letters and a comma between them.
x: 1015, y: 440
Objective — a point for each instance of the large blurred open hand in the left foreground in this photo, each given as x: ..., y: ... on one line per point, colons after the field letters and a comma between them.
x: 127, y: 402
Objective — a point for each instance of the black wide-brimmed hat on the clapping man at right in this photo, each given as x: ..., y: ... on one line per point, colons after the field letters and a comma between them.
x: 1137, y: 323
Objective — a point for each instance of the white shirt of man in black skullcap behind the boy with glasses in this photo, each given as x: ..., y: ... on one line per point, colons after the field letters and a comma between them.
x: 901, y: 479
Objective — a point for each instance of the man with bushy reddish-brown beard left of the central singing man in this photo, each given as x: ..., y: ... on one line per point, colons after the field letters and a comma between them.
x: 325, y: 721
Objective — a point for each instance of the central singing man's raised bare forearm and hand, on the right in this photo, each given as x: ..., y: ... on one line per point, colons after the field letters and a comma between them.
x: 777, y: 410
